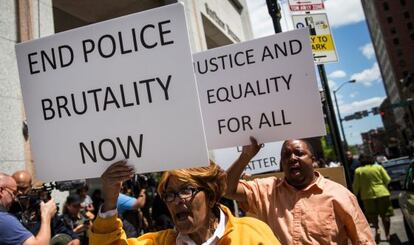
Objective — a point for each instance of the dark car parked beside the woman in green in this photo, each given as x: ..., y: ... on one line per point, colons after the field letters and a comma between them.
x: 397, y: 170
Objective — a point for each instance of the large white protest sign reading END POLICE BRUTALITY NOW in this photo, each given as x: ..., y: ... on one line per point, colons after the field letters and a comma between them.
x: 110, y: 91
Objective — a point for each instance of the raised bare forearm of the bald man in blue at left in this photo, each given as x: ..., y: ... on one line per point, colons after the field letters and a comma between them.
x: 47, y: 211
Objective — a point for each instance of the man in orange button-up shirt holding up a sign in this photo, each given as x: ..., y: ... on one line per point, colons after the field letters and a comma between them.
x: 304, y: 207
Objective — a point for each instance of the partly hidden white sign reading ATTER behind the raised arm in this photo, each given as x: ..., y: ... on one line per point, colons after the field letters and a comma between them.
x: 267, y: 160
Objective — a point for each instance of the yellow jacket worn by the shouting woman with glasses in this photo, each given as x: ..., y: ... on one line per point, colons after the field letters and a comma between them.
x: 238, y: 231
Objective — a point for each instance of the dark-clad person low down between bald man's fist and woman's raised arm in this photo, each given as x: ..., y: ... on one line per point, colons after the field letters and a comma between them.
x: 74, y: 219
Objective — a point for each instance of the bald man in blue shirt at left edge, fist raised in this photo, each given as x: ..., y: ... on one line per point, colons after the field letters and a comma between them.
x: 11, y: 230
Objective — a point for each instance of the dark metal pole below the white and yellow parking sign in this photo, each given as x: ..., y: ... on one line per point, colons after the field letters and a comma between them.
x: 333, y: 124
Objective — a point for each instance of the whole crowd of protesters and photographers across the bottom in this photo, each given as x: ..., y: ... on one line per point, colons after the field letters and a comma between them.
x: 186, y: 206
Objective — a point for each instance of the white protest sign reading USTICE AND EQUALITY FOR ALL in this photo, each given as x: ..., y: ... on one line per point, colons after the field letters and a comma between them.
x: 264, y: 88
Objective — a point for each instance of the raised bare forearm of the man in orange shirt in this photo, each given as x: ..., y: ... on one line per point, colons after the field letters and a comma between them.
x: 234, y: 190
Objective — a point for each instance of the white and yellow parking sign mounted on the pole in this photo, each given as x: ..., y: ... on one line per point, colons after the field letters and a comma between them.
x: 322, y: 43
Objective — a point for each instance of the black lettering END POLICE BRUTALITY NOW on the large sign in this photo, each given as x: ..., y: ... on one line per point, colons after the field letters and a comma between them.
x: 148, y: 36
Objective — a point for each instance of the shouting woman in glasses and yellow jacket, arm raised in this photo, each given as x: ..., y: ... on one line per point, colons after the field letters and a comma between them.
x: 192, y: 197
